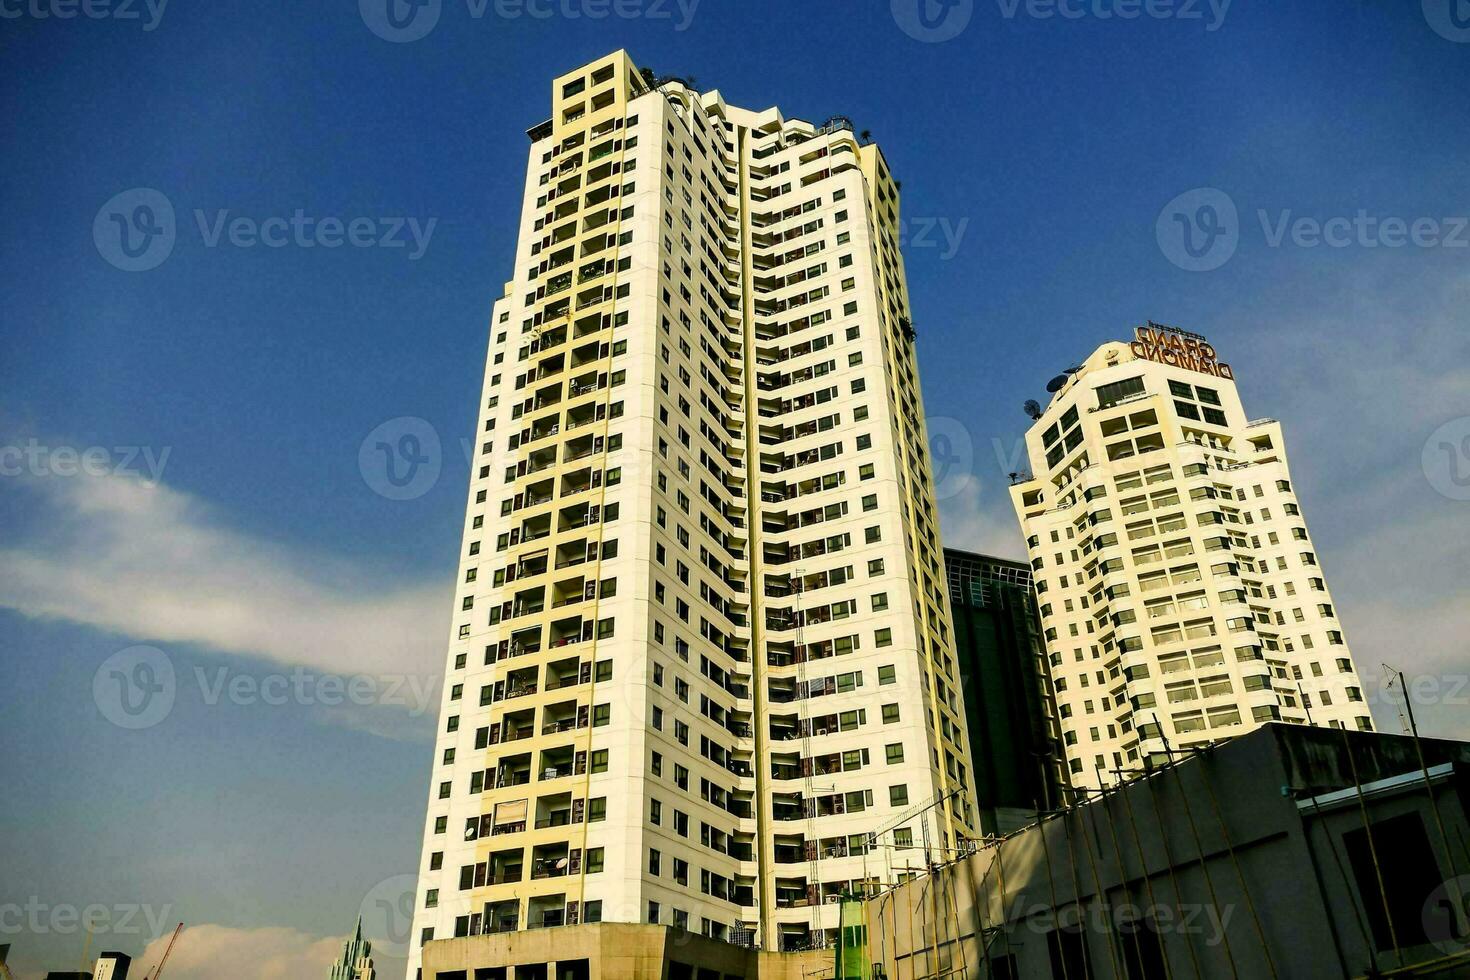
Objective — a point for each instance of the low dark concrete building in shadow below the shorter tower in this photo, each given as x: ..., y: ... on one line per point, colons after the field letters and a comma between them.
x: 1236, y: 859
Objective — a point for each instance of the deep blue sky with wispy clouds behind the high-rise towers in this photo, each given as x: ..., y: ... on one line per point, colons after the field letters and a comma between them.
x: 1037, y: 155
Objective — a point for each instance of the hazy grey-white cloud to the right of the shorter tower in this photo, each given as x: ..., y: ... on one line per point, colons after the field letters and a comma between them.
x: 1360, y: 384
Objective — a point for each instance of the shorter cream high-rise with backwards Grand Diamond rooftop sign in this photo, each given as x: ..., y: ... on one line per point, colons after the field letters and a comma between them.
x: 1181, y: 596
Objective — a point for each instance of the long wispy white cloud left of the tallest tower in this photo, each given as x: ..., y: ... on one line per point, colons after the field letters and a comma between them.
x: 157, y: 565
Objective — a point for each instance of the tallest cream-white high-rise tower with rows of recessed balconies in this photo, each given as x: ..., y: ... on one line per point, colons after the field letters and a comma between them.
x: 702, y: 644
